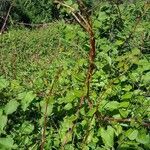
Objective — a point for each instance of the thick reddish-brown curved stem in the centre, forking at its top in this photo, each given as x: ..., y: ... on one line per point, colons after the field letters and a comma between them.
x: 86, y: 24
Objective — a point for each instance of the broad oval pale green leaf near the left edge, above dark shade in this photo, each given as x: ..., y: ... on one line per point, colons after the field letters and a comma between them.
x: 11, y: 107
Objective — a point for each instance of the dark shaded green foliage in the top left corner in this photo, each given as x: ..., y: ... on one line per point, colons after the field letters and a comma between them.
x: 28, y: 11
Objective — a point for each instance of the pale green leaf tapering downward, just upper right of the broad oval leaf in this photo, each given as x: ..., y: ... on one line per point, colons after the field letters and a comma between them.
x: 26, y: 98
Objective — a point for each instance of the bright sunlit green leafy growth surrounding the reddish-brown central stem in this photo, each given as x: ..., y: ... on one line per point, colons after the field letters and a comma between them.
x: 49, y: 66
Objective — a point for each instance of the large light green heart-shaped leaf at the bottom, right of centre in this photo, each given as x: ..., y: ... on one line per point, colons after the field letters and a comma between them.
x: 107, y: 136
